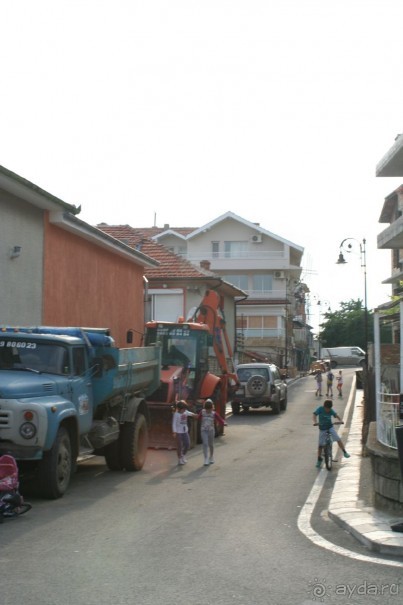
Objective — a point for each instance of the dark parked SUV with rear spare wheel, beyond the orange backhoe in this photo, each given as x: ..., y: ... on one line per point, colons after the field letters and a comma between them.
x: 260, y: 386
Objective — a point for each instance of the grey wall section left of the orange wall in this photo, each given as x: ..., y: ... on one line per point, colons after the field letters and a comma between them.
x: 21, y: 224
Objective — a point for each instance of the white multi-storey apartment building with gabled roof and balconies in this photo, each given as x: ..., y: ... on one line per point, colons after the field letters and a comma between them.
x: 271, y: 320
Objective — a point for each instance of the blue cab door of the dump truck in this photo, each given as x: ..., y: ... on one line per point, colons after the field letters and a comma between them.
x: 82, y: 388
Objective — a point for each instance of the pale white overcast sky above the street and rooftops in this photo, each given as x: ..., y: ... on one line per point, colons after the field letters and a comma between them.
x: 177, y: 111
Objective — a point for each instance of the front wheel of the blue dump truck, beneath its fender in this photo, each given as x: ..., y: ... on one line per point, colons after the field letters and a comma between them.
x: 56, y: 467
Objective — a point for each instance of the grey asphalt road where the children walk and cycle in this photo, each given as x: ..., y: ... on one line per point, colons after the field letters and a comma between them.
x: 226, y: 534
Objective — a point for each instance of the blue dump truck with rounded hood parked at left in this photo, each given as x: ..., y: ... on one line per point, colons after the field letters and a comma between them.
x: 68, y: 392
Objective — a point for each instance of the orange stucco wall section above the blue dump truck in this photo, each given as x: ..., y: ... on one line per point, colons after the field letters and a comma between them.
x: 86, y: 285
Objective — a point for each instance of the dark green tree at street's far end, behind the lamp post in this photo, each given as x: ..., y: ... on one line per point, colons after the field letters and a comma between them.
x: 346, y: 326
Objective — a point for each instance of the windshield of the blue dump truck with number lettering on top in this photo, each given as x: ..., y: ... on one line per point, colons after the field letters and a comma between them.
x: 38, y: 356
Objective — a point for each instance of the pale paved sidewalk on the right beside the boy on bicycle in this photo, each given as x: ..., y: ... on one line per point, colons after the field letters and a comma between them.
x: 350, y: 502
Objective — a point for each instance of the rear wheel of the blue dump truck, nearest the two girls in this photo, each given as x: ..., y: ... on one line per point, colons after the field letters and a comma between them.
x: 133, y: 443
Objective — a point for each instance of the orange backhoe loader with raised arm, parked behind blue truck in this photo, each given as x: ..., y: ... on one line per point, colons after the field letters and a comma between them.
x: 185, y: 372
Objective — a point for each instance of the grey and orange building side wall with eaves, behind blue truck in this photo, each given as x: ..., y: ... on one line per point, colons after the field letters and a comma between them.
x: 58, y: 270
